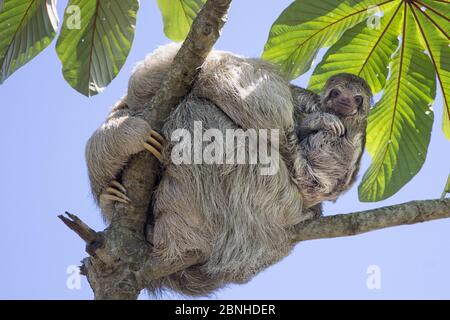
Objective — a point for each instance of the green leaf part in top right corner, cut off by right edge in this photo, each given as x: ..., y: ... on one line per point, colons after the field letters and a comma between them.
x: 434, y: 29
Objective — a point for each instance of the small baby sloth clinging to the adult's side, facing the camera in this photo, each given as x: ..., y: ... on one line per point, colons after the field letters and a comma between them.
x: 331, y: 129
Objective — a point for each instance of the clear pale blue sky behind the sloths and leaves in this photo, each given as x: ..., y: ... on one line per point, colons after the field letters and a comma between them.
x: 45, y: 125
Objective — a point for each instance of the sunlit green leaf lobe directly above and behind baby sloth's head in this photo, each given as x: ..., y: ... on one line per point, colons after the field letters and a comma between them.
x: 363, y: 50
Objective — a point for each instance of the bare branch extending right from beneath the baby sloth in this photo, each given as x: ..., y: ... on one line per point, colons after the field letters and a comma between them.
x: 342, y: 225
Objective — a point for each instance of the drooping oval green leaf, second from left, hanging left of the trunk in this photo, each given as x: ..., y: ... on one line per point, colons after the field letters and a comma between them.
x: 94, y: 42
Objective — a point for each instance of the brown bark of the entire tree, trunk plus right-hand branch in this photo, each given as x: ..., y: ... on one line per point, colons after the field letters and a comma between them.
x: 120, y: 262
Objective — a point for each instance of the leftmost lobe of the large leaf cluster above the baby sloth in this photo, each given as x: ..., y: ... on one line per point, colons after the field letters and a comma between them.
x: 308, y: 25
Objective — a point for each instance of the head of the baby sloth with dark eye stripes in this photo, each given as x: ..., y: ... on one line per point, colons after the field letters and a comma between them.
x: 347, y: 96
